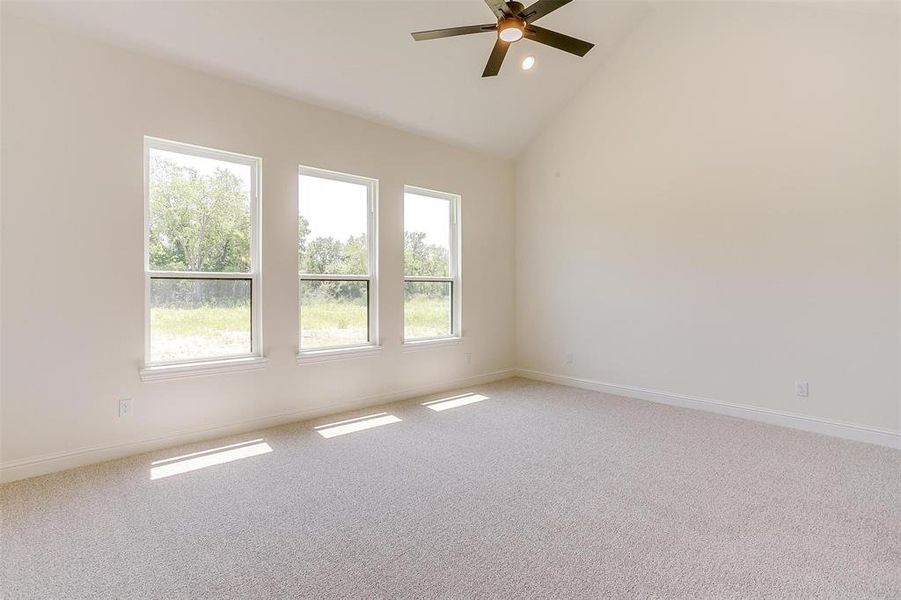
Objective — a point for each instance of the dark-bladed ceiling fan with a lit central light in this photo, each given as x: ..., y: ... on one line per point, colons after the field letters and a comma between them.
x: 514, y: 22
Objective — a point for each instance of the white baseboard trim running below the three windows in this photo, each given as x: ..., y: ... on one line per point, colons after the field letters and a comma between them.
x: 69, y: 459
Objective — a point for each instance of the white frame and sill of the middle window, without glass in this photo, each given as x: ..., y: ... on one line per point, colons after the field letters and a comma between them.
x: 313, y: 355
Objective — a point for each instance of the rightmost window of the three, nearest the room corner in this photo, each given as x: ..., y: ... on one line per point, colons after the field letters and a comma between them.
x: 431, y: 265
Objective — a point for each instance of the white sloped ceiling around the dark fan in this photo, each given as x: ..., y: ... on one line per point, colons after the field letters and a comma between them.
x: 358, y: 56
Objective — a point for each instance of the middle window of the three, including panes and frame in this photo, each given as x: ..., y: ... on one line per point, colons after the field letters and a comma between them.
x: 336, y: 260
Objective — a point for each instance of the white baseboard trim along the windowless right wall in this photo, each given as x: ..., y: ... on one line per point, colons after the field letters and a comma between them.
x: 841, y: 429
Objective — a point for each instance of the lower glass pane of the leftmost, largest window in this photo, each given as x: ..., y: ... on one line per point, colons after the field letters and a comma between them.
x: 199, y: 318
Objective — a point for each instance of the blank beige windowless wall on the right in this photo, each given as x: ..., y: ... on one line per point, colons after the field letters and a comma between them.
x: 717, y: 214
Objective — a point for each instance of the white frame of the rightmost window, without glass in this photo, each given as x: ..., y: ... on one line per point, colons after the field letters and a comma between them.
x: 454, y: 278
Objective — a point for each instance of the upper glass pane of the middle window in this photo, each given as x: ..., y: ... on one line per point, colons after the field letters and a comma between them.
x: 332, y: 227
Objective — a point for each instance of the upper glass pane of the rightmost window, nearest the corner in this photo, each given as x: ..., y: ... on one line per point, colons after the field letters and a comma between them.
x: 427, y: 226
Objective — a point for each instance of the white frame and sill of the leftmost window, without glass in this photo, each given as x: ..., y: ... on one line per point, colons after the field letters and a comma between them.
x: 177, y: 369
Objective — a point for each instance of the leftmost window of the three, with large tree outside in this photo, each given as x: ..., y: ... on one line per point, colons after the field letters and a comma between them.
x: 202, y: 259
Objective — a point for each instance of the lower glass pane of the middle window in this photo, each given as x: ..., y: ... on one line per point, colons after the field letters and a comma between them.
x: 333, y: 313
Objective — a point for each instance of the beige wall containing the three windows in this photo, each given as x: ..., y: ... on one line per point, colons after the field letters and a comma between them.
x: 74, y: 114
